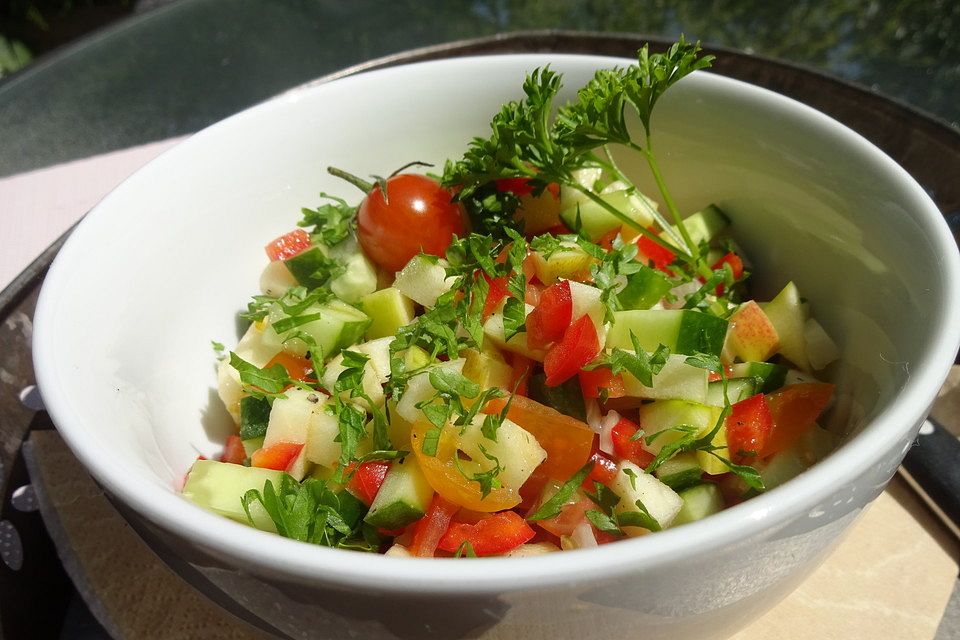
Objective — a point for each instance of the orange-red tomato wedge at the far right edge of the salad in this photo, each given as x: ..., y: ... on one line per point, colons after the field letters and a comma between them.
x: 794, y: 409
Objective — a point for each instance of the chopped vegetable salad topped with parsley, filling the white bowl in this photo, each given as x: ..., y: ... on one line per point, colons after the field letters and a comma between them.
x: 518, y: 355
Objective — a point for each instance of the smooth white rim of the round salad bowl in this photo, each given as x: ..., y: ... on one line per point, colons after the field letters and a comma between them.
x: 277, y: 556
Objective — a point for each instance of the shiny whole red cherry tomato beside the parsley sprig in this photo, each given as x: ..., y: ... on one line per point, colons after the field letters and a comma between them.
x: 418, y: 216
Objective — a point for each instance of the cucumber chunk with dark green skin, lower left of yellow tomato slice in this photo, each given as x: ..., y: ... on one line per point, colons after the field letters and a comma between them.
x: 403, y: 498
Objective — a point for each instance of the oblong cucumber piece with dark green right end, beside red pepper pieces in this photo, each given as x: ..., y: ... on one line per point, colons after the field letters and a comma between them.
x: 681, y: 330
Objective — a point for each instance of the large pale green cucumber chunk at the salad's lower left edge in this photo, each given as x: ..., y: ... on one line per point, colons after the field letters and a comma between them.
x: 220, y: 486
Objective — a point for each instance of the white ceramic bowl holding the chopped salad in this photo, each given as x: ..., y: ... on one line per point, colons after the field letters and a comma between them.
x: 160, y: 267
